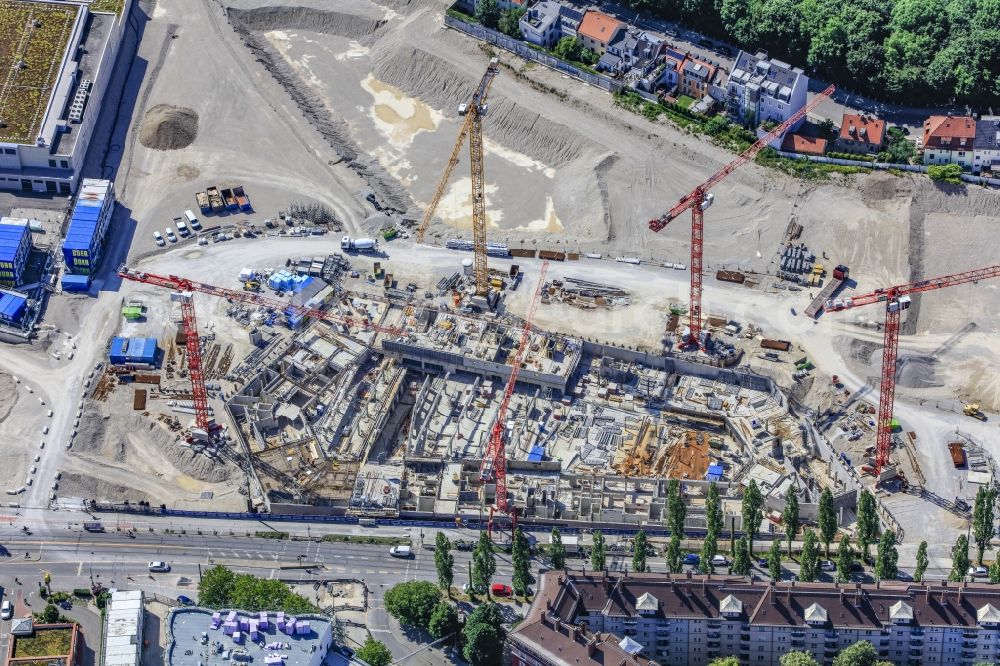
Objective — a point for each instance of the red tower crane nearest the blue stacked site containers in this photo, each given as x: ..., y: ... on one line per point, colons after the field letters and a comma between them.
x: 187, y: 287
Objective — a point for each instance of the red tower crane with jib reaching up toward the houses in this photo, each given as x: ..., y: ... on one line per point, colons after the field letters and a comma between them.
x: 699, y: 199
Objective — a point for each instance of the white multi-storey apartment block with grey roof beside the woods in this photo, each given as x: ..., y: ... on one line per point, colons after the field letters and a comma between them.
x: 762, y: 89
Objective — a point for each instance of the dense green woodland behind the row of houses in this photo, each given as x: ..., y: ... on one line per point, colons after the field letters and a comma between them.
x: 906, y: 51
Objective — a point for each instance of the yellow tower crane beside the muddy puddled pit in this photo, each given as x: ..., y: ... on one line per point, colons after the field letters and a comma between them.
x: 474, y: 111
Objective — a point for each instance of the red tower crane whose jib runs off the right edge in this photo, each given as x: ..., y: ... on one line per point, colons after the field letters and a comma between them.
x: 896, y: 300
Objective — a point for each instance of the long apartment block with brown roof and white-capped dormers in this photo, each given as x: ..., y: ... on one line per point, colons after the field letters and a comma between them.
x: 686, y: 620
